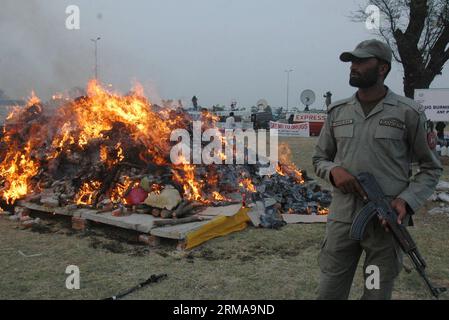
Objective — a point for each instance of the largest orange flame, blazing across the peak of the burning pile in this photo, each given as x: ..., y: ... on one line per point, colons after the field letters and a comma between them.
x: 91, y: 117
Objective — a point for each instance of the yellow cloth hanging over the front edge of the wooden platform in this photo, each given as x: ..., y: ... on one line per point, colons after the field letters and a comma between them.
x: 218, y: 227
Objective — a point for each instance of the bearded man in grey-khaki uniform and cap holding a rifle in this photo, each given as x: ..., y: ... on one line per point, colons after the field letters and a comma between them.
x: 374, y: 131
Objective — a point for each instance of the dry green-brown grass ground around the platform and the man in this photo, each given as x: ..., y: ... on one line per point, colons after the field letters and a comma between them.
x: 252, y: 264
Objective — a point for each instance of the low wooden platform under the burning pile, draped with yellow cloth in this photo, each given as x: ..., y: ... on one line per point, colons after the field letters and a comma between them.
x: 231, y: 218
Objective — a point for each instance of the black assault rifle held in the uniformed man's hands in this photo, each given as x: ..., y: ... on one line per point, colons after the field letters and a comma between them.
x: 377, y: 204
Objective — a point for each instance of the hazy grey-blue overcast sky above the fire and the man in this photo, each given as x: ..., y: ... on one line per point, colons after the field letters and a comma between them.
x: 218, y: 50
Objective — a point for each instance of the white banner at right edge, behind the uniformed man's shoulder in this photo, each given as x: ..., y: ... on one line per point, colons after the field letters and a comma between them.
x: 435, y: 102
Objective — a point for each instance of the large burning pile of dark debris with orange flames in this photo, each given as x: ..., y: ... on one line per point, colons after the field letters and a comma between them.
x: 111, y: 152
